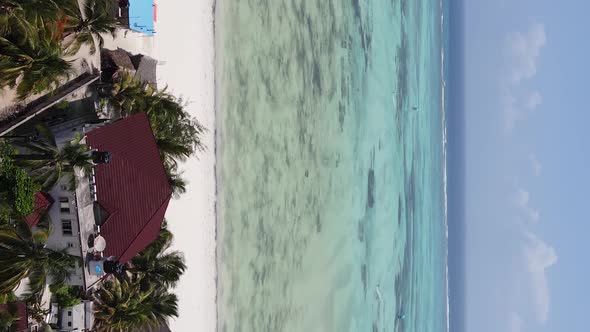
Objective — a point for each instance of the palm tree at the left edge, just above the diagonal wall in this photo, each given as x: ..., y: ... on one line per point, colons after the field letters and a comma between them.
x: 32, y: 64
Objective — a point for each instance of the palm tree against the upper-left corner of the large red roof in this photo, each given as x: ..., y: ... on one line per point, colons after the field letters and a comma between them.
x: 47, y: 163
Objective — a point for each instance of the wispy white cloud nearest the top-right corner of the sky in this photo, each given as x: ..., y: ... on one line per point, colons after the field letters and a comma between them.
x: 524, y: 49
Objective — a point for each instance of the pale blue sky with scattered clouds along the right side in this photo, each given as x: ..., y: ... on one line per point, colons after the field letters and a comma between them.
x: 526, y: 165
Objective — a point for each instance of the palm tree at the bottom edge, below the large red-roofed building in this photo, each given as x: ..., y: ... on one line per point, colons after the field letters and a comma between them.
x: 120, y: 305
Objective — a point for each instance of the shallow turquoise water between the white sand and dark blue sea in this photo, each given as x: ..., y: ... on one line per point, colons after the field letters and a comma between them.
x: 331, y: 207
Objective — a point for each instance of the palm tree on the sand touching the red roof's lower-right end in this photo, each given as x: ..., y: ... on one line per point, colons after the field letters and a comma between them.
x: 157, y: 264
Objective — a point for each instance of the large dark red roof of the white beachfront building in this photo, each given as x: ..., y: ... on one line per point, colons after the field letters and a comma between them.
x: 132, y: 188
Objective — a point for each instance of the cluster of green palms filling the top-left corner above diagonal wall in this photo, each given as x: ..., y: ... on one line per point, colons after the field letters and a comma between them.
x: 36, y: 35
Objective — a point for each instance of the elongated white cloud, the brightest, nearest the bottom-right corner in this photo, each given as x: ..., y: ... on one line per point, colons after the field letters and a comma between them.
x: 539, y: 257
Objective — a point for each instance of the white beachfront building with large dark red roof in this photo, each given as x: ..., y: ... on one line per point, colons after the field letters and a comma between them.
x: 116, y: 210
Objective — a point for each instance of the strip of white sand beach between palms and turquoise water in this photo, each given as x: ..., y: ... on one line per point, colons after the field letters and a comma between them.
x: 184, y: 43
